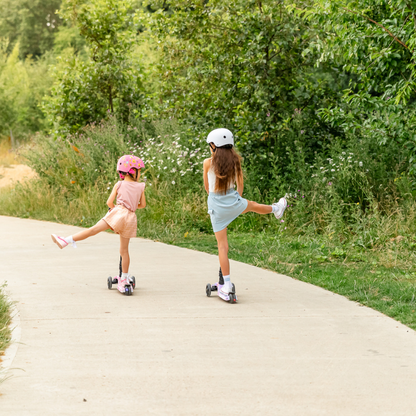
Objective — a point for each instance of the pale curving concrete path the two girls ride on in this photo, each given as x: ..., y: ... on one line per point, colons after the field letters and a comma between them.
x: 287, y: 348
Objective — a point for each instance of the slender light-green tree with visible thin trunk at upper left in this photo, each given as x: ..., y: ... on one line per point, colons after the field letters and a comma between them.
x: 109, y: 79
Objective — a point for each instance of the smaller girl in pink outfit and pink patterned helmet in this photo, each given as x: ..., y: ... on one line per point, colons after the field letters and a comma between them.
x: 121, y: 218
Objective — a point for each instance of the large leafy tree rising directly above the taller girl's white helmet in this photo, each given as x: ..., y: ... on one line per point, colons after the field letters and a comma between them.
x: 241, y: 64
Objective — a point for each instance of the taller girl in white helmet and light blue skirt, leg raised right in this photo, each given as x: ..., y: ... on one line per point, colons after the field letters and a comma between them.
x: 222, y: 171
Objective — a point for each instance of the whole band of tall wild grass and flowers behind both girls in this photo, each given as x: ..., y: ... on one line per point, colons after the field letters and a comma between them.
x: 344, y: 196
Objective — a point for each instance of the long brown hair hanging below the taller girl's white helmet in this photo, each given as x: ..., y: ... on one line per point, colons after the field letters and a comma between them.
x: 226, y: 163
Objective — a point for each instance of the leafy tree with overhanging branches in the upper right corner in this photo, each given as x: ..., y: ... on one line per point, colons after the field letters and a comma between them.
x: 375, y: 42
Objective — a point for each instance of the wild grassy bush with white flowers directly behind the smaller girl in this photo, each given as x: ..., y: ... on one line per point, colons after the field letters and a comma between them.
x: 85, y: 164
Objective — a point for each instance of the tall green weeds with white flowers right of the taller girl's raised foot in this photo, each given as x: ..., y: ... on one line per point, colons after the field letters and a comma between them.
x: 353, y: 189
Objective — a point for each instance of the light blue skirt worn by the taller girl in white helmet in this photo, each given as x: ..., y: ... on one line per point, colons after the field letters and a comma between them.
x: 224, y: 209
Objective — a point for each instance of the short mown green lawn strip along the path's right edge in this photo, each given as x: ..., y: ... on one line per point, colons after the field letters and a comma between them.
x: 382, y: 279
